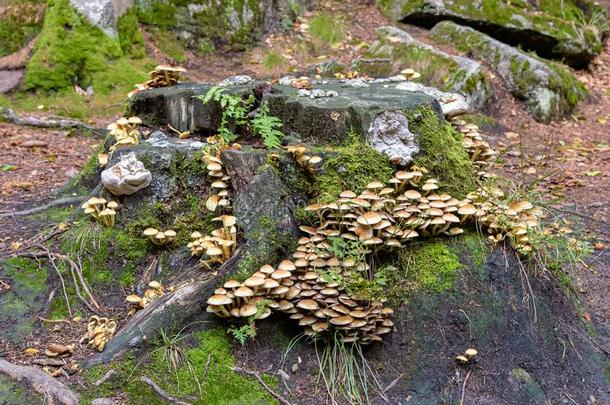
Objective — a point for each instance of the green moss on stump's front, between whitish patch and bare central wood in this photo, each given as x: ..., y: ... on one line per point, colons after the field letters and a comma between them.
x: 350, y: 166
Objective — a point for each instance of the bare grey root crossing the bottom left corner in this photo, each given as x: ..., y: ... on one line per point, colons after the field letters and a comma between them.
x: 47, y: 386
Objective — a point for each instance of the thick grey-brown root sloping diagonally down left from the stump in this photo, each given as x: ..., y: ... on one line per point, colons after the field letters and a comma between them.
x: 166, y: 312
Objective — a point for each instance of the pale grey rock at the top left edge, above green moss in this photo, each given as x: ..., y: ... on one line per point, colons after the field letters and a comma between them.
x: 103, y: 13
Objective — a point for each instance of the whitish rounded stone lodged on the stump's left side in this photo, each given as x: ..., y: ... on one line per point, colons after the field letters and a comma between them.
x: 127, y: 176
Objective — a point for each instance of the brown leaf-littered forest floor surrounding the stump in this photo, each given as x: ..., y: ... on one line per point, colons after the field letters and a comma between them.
x: 567, y: 162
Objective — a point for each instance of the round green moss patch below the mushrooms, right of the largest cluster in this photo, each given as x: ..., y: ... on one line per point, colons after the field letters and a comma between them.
x: 431, y: 265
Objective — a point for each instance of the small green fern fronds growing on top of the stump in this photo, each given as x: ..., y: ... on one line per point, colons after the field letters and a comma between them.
x: 234, y: 110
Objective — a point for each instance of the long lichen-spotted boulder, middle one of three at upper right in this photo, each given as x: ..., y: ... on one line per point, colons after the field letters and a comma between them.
x: 548, y: 90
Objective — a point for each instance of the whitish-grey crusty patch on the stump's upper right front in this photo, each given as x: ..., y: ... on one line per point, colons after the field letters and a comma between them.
x: 389, y: 134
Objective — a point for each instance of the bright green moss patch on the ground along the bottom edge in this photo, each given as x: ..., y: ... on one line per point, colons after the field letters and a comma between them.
x: 221, y: 386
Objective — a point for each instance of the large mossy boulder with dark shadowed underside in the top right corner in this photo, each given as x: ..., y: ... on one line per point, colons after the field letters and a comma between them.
x: 555, y: 28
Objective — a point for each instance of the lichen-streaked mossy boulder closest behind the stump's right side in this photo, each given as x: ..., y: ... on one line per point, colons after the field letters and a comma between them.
x: 437, y: 68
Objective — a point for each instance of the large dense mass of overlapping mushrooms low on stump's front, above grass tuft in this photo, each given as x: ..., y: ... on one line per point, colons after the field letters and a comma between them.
x: 298, y: 288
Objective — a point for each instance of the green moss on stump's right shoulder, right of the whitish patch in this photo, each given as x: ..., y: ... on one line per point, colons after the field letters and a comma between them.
x: 442, y: 152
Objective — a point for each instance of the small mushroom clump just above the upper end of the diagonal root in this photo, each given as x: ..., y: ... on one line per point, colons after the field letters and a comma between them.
x: 219, y: 246
